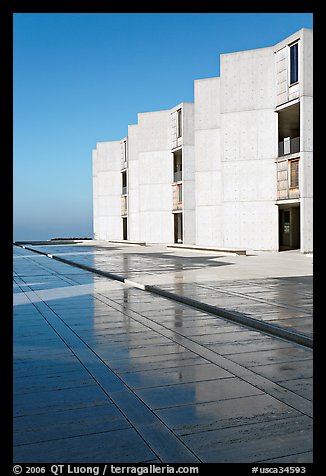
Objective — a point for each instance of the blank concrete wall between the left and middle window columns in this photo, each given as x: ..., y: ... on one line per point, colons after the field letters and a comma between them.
x: 153, y: 166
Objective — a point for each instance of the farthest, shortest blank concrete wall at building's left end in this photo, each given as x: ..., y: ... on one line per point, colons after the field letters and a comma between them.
x: 107, y: 191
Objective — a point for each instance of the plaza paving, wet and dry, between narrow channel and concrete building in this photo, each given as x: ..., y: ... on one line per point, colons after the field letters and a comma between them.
x: 272, y: 287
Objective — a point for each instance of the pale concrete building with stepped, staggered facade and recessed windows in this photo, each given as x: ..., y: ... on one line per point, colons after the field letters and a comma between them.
x: 232, y: 170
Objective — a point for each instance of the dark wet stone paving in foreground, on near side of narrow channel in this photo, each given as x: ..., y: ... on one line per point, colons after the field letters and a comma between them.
x: 134, y: 377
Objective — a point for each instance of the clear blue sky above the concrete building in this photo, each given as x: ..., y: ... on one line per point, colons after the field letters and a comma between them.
x: 82, y: 78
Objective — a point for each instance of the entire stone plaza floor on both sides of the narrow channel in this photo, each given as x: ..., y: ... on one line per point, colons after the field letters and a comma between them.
x: 106, y: 372
